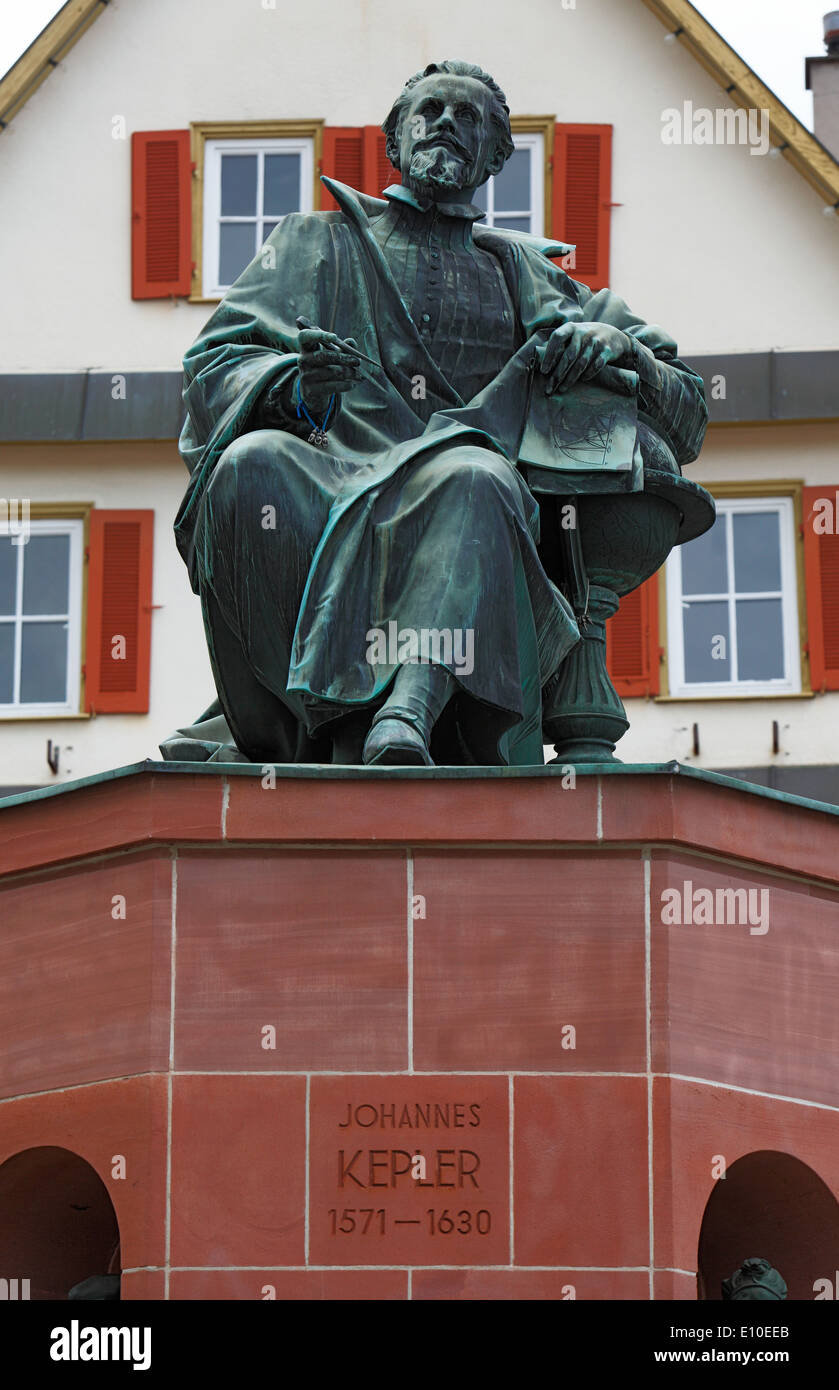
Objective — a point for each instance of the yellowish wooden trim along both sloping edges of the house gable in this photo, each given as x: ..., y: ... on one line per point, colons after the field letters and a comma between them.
x: 798, y: 145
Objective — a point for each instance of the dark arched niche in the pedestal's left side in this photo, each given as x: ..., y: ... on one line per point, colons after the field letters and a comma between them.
x: 58, y: 1223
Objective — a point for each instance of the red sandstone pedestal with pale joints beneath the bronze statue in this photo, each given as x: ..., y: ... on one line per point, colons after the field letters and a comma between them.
x: 417, y: 1033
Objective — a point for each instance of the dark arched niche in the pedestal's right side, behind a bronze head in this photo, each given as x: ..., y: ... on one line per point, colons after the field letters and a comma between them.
x: 774, y: 1207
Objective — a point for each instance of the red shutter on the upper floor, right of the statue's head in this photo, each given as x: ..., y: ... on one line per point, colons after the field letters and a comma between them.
x: 583, y: 198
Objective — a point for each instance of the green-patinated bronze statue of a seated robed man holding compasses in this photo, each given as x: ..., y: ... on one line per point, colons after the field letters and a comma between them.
x: 394, y: 422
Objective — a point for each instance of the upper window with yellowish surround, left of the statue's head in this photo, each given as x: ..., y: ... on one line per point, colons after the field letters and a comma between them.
x: 247, y: 177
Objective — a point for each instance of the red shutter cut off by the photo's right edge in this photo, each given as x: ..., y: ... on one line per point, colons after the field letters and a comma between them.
x: 822, y: 580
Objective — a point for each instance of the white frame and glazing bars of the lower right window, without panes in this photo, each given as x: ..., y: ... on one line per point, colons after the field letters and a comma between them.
x: 791, y: 683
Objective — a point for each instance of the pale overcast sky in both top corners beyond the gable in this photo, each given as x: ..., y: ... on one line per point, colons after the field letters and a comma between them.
x: 774, y: 37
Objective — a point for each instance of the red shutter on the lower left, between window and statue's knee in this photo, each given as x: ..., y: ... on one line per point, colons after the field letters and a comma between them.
x: 119, y: 607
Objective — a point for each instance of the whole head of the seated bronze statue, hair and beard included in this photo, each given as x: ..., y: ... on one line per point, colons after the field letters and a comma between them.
x: 449, y: 130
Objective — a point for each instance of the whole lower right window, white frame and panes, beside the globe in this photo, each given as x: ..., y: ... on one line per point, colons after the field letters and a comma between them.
x: 733, y: 604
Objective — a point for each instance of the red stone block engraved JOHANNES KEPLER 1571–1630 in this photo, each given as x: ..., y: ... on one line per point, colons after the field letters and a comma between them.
x: 410, y: 1171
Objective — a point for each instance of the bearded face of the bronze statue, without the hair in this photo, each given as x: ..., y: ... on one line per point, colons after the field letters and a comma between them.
x: 447, y: 140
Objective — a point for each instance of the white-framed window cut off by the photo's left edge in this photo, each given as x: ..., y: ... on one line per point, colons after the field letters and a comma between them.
x: 41, y: 619
